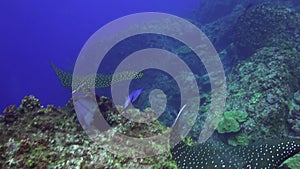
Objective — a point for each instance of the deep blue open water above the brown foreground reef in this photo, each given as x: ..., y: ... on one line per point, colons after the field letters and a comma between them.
x: 34, y: 32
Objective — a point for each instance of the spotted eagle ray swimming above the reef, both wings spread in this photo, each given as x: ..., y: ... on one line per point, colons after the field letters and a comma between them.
x: 99, y: 80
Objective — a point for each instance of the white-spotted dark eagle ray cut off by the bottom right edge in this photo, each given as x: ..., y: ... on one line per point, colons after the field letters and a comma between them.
x: 268, y: 155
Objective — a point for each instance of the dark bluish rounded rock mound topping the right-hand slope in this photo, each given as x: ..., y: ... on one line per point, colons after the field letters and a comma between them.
x: 266, y: 26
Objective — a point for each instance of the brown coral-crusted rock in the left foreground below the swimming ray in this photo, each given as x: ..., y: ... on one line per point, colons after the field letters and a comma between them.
x: 36, y: 137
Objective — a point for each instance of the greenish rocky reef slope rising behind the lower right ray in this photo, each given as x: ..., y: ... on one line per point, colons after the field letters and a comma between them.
x: 264, y: 83
